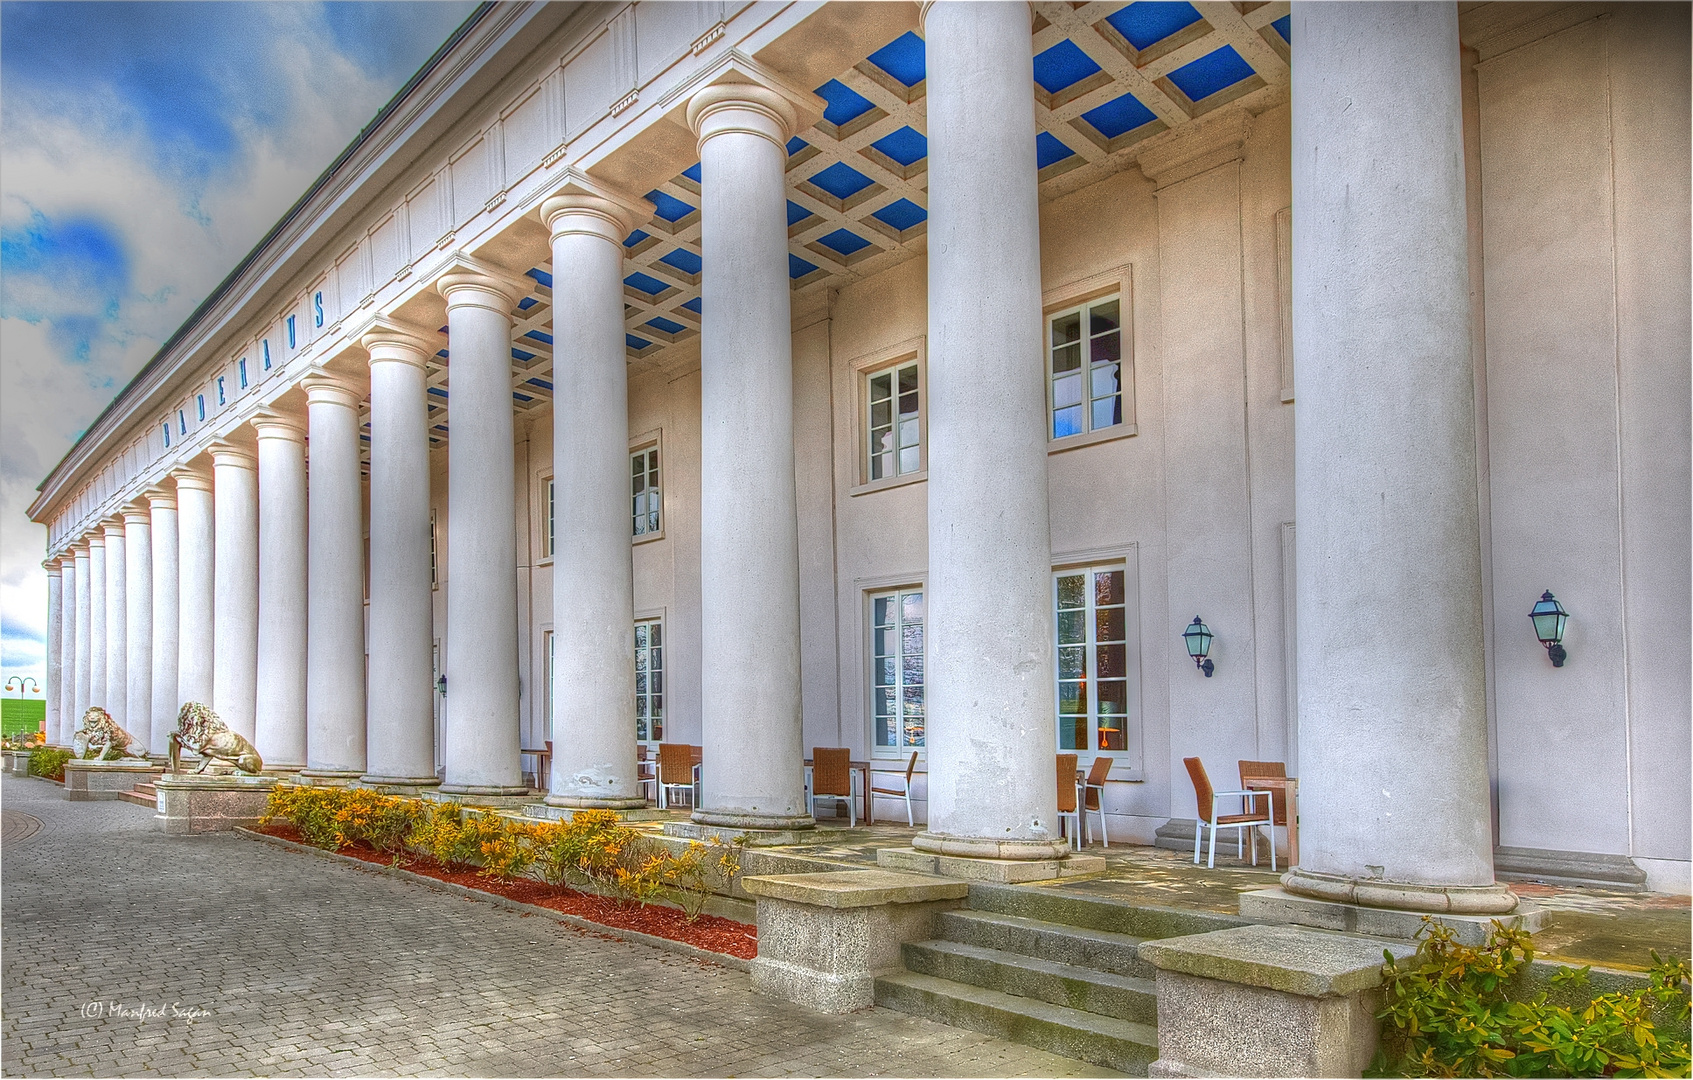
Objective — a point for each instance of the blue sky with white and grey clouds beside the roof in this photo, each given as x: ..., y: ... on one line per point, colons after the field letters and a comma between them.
x: 145, y: 150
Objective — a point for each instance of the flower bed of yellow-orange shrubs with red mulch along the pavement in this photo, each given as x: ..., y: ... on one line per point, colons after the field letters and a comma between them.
x: 524, y: 862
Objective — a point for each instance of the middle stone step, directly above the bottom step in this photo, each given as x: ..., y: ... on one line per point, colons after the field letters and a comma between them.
x: 1125, y: 998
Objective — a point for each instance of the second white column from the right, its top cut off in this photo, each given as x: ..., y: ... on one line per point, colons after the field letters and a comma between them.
x: 990, y: 692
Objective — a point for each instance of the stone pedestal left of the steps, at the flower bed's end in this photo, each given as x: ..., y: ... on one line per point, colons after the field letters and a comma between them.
x: 824, y: 939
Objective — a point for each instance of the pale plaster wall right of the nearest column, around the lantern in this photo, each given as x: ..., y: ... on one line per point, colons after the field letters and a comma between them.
x: 1585, y: 207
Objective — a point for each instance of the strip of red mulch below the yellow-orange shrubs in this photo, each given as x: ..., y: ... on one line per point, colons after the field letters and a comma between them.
x: 707, y: 932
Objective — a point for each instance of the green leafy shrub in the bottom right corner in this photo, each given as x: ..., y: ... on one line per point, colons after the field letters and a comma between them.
x: 1448, y: 1015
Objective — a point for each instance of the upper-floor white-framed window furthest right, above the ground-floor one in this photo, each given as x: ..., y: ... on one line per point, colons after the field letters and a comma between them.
x: 1084, y: 366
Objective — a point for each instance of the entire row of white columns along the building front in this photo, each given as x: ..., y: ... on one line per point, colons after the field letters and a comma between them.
x: 245, y: 587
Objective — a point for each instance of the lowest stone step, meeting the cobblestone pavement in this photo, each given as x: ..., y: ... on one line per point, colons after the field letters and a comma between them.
x: 1088, y: 1037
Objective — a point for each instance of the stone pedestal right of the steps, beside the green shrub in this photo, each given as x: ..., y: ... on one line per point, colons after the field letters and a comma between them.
x: 1269, y: 1001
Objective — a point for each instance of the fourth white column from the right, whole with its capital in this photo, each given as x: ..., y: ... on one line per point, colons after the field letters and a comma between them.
x: 593, y: 587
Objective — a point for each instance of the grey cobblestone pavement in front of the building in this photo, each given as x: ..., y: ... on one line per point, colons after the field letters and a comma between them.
x: 131, y: 954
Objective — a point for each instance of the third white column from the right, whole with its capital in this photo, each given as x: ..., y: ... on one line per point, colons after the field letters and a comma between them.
x: 751, y: 724
